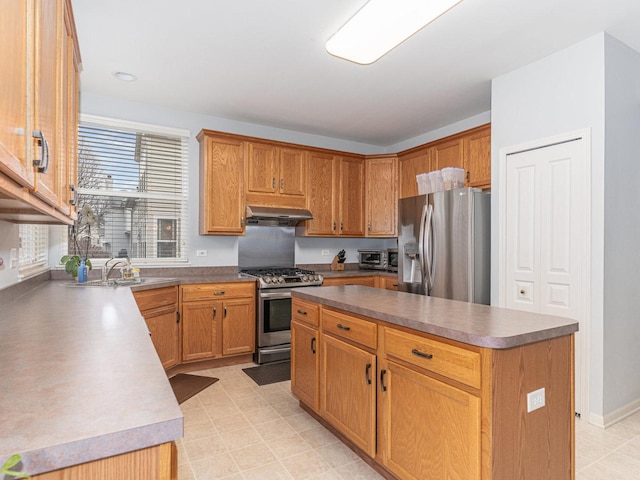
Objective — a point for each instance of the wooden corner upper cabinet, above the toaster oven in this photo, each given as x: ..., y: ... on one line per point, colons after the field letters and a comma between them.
x: 381, y: 196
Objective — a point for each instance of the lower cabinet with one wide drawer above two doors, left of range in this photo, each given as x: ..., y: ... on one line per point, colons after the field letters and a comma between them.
x: 217, y: 320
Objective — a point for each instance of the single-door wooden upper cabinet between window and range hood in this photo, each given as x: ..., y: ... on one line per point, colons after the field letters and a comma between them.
x: 221, y: 185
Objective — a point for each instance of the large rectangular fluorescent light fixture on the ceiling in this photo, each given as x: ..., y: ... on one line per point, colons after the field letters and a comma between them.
x: 381, y: 25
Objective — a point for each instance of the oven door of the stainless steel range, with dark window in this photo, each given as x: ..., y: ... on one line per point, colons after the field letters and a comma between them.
x: 274, y: 317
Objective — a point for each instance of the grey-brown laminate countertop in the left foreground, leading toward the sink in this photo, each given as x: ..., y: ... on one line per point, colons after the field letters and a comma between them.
x: 80, y: 378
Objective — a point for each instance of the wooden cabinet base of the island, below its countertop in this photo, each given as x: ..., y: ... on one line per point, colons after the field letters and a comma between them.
x: 426, y: 407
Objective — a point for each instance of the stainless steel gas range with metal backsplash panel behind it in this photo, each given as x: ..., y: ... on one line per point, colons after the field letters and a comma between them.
x: 267, y: 253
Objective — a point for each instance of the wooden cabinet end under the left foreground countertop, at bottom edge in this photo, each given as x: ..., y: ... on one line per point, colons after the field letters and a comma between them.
x: 153, y: 463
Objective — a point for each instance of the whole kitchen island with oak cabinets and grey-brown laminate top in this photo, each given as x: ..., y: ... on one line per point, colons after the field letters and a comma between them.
x: 424, y: 387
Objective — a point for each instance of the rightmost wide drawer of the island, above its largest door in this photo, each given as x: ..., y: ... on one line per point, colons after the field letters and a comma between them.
x: 450, y: 361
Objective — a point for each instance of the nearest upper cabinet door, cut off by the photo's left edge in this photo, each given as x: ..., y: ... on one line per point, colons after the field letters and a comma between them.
x: 15, y: 153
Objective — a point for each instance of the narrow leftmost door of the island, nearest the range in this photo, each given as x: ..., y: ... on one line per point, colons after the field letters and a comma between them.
x: 305, y: 363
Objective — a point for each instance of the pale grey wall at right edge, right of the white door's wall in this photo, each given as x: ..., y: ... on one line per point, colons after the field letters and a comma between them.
x: 622, y: 229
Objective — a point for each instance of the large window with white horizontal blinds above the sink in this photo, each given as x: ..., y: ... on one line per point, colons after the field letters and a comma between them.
x: 133, y: 179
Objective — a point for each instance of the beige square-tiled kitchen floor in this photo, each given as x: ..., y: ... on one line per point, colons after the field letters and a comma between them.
x: 236, y: 430
